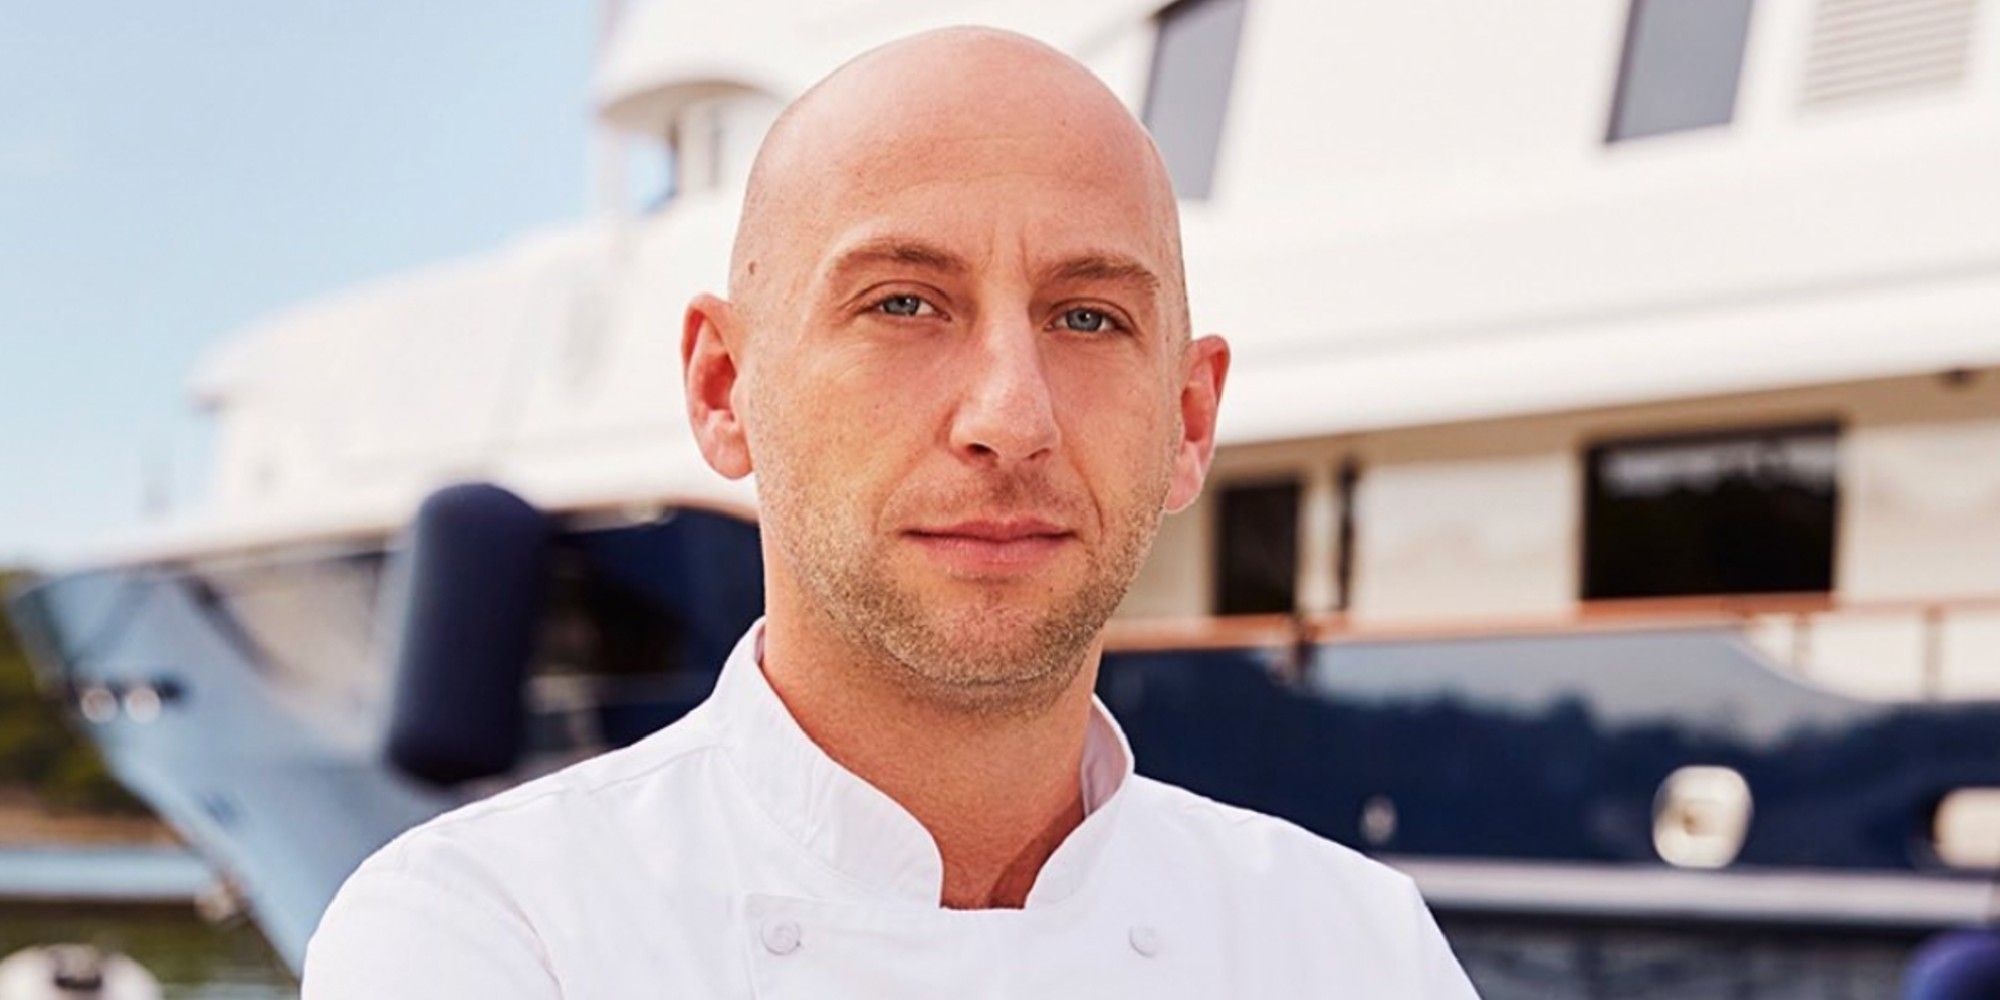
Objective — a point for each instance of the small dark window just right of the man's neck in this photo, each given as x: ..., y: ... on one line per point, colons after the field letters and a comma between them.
x: 1257, y: 549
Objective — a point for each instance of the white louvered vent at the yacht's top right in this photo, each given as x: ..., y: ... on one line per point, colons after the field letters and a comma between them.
x: 1875, y: 49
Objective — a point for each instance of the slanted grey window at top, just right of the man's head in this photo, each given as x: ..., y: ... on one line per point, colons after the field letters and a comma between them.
x: 1189, y: 93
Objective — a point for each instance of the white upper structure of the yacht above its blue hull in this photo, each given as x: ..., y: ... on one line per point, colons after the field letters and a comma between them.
x: 1455, y: 251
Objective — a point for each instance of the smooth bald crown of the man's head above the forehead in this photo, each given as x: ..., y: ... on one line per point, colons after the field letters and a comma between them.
x: 933, y: 107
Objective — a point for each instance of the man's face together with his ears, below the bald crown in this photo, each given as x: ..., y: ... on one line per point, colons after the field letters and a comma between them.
x: 969, y: 397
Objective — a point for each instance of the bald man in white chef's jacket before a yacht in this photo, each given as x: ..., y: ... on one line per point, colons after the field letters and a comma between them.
x: 957, y: 357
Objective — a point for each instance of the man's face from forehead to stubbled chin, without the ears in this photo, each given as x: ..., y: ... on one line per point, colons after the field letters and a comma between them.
x: 965, y: 453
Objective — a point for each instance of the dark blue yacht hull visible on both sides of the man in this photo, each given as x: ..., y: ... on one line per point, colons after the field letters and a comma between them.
x: 1545, y: 749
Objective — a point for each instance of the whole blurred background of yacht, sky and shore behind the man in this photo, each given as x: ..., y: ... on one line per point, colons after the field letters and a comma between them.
x: 1605, y: 525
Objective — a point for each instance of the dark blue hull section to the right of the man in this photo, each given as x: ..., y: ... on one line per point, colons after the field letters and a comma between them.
x: 1553, y: 747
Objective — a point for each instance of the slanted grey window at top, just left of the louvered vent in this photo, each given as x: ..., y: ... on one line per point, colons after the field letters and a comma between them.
x: 1681, y: 67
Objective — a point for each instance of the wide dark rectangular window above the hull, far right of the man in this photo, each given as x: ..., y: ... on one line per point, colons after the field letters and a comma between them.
x: 1745, y: 513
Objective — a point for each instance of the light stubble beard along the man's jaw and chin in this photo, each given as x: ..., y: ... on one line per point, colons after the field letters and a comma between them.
x: 991, y: 657
